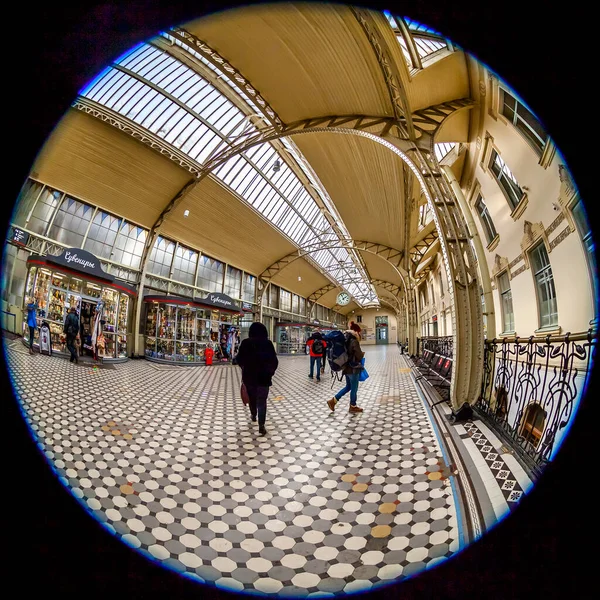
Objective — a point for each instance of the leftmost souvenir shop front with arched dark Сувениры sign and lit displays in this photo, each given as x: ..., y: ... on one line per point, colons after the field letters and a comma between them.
x: 76, y: 278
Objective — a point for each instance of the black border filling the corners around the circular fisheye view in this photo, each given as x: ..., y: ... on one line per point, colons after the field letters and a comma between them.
x: 542, y: 550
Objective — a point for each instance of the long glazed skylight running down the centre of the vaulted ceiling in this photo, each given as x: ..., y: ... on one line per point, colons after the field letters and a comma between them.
x: 160, y: 93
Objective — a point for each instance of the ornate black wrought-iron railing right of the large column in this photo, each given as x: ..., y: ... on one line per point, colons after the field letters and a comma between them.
x: 531, y: 389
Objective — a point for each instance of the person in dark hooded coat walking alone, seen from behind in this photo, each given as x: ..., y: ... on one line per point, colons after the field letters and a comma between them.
x: 259, y: 362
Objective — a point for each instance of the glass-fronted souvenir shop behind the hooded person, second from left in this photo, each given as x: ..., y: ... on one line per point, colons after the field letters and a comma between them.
x: 181, y: 330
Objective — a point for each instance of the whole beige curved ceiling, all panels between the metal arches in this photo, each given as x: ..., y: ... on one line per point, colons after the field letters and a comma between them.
x: 307, y: 60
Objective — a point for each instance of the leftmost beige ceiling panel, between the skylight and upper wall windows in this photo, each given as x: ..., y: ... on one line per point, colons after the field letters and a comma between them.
x: 99, y: 164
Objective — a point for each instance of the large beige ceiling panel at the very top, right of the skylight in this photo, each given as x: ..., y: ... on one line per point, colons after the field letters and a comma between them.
x: 307, y: 59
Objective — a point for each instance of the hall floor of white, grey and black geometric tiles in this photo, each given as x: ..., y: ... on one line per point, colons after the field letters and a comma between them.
x: 326, y: 503
